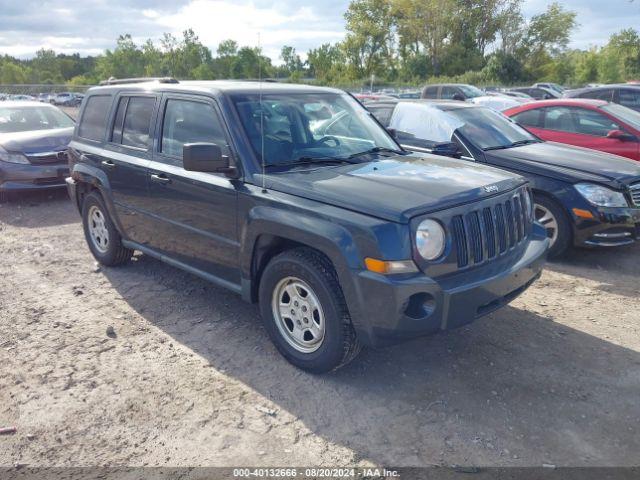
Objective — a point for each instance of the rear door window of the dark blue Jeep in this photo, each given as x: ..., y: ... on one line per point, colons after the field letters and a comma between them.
x: 133, y: 119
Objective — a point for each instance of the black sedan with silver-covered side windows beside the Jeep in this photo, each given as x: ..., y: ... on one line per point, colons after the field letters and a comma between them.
x: 583, y: 197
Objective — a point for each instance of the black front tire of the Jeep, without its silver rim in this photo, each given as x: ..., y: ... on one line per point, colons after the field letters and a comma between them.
x: 339, y: 345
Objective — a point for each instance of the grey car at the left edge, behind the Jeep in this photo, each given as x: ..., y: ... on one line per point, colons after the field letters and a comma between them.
x: 33, y: 144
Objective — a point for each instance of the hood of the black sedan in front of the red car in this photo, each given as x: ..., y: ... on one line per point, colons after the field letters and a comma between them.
x: 571, y: 163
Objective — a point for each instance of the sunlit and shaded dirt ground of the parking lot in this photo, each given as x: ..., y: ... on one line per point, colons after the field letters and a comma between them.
x: 190, y: 377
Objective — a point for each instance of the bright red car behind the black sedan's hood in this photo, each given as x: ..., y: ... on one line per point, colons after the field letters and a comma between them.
x: 588, y: 123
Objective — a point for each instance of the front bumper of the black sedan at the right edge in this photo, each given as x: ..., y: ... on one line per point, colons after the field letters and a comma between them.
x: 610, y: 227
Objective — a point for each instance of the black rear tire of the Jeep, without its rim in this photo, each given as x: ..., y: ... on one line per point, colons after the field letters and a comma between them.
x: 114, y: 253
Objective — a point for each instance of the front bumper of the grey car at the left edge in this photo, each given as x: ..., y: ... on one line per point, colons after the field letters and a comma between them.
x: 18, y: 177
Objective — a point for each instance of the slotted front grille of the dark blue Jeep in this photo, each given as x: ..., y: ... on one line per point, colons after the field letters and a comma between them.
x: 491, y: 231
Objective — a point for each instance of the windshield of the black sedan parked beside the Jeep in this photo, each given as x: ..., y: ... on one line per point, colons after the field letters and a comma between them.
x: 488, y: 129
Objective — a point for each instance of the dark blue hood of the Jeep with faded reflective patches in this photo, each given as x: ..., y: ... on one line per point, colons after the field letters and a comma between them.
x: 396, y: 188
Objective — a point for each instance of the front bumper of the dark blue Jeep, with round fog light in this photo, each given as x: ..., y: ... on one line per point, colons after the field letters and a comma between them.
x: 390, y: 310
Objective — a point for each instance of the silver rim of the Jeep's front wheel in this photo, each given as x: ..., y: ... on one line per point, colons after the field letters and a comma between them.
x: 298, y: 314
